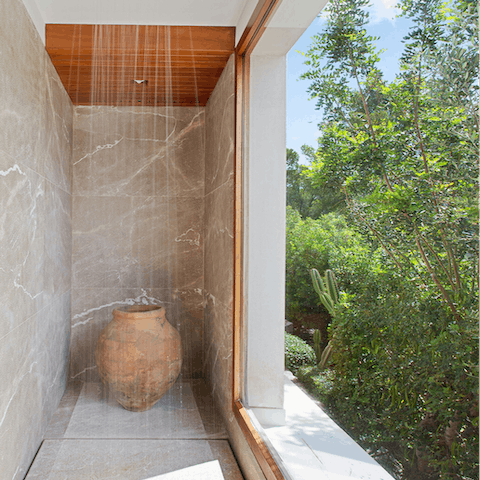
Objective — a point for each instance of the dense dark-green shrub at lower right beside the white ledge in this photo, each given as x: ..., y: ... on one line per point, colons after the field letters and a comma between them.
x: 406, y: 377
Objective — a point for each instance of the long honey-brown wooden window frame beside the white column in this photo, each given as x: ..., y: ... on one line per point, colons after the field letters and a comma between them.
x: 253, y: 31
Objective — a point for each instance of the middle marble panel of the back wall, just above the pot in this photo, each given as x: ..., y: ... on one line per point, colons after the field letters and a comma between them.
x: 153, y: 242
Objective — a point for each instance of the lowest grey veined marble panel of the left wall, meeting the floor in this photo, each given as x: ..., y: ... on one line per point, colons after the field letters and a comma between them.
x: 35, y: 357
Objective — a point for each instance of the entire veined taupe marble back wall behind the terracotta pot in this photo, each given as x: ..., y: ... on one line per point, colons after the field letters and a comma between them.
x: 138, y: 208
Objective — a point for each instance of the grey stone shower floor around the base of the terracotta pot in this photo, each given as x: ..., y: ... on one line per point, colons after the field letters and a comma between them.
x: 91, y: 437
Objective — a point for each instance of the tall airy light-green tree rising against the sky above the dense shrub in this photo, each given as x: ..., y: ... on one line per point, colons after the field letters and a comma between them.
x: 405, y: 154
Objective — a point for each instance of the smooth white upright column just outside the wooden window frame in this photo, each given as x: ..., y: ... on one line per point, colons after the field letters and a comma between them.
x: 265, y: 180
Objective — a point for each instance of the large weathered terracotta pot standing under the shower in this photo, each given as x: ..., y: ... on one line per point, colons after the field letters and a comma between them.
x: 139, y: 356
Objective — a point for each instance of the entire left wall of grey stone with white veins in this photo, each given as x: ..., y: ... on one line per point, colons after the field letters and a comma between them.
x: 35, y: 237
